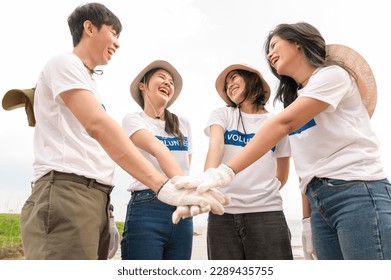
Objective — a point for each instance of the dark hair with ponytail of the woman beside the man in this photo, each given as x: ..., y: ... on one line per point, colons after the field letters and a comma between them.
x: 172, y: 121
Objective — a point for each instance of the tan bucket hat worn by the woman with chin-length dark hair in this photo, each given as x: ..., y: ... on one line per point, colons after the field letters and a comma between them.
x: 220, y: 81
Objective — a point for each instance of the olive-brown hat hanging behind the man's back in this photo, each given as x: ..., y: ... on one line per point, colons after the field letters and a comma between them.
x: 16, y: 98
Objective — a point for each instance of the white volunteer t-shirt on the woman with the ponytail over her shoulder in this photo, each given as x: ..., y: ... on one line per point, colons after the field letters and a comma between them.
x: 133, y: 122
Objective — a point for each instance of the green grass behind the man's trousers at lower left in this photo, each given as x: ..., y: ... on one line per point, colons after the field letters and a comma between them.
x: 10, y: 239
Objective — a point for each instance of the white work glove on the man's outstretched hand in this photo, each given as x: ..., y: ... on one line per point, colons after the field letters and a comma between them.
x: 190, y: 197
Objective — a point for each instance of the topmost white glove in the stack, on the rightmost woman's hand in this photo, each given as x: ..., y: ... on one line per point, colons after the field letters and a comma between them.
x: 211, y: 178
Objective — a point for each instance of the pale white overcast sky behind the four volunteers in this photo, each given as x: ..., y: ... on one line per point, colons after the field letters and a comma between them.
x: 200, y: 38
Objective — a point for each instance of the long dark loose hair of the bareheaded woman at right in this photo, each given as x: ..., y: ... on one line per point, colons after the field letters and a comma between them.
x: 313, y: 47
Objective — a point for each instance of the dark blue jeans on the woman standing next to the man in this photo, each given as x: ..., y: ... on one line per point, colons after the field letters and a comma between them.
x: 149, y: 233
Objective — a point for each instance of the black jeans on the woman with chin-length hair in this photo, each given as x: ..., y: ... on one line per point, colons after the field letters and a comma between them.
x: 249, y: 236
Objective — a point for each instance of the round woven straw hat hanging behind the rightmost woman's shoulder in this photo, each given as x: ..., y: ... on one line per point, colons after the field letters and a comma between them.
x: 365, y: 79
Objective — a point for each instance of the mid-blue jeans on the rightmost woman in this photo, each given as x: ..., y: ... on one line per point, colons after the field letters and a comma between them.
x: 350, y: 219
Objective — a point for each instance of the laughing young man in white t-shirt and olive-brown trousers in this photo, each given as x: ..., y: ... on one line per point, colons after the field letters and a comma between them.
x: 76, y: 144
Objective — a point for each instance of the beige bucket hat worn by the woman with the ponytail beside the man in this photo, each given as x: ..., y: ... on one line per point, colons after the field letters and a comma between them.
x: 160, y: 64
